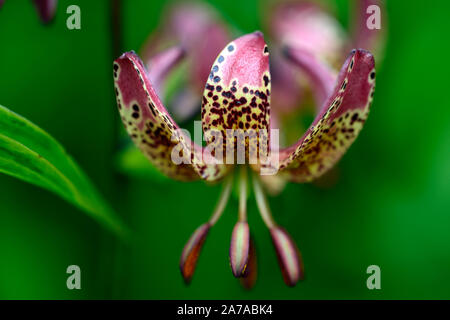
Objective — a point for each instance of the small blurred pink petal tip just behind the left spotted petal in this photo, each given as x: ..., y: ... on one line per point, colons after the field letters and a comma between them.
x: 161, y: 64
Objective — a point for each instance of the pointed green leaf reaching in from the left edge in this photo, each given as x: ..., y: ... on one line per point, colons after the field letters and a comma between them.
x: 30, y: 154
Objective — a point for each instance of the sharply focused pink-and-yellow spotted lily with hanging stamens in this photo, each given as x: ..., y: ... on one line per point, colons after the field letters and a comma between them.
x: 237, y: 97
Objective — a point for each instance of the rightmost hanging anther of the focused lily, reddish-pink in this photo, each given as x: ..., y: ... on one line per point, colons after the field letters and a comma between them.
x: 288, y: 255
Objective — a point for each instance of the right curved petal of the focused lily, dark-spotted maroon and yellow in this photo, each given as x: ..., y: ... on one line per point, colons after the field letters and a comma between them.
x: 337, y: 125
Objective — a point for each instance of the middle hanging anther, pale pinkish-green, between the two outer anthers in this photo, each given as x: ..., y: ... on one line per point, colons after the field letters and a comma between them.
x: 239, y: 248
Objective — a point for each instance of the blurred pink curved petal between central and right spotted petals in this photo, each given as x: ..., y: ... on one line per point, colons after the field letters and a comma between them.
x: 320, y: 75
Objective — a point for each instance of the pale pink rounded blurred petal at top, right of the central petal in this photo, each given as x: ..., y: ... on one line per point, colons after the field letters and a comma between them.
x: 305, y: 25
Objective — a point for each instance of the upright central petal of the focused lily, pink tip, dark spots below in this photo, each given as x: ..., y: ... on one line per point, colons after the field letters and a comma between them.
x: 237, y: 93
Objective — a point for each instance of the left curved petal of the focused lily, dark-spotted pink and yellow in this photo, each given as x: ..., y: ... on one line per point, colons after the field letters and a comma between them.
x: 151, y: 127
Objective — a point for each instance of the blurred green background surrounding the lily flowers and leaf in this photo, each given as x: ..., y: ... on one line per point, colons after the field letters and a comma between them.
x: 389, y: 207
